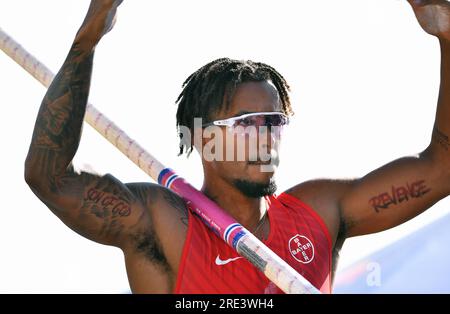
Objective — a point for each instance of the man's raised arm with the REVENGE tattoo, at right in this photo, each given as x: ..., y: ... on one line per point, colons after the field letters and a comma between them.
x: 406, y: 187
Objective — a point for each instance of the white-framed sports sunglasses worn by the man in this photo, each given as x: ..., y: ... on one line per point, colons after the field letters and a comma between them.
x: 256, y: 119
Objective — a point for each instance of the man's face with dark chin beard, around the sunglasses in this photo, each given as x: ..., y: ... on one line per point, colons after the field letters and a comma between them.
x: 244, y: 163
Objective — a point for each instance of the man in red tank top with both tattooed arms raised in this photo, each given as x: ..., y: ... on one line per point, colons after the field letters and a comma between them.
x: 167, y: 248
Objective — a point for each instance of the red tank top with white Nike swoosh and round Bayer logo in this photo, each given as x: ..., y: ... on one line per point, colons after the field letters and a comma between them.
x: 297, y: 235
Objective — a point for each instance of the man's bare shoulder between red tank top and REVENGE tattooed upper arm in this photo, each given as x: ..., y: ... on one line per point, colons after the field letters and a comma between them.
x: 323, y: 196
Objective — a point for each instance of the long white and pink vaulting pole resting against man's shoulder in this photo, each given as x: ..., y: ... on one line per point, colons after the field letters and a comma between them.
x: 239, y: 238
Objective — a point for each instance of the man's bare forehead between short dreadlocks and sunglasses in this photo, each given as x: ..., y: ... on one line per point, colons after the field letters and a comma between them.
x: 253, y: 97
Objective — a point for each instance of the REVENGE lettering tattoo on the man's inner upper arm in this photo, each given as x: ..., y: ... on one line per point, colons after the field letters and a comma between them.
x: 398, y: 195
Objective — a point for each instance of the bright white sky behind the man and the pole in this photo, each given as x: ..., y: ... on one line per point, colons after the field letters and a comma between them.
x: 364, y: 79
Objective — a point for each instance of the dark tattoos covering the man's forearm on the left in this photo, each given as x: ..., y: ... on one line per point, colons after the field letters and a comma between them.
x: 58, y: 126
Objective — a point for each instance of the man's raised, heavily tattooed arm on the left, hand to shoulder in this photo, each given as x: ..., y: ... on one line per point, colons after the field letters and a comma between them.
x: 100, y: 208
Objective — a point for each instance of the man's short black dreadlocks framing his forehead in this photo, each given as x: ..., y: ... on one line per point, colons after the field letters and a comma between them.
x: 204, y: 91
